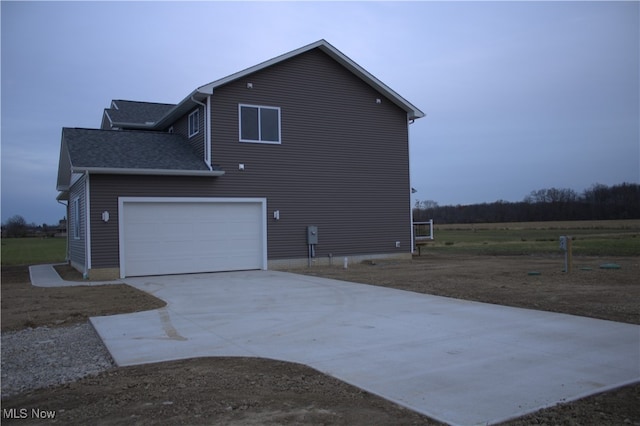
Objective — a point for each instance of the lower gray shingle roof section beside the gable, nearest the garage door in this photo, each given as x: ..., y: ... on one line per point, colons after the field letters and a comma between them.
x: 124, y: 149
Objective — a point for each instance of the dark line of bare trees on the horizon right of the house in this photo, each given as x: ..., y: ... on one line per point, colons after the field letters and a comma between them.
x: 599, y: 202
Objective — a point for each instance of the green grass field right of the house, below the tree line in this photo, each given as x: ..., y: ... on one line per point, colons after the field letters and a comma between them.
x: 592, y: 238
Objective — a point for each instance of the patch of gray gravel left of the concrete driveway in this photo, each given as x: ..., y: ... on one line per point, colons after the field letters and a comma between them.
x: 41, y: 357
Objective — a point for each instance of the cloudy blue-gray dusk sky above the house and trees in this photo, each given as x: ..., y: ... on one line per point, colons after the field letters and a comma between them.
x: 519, y: 96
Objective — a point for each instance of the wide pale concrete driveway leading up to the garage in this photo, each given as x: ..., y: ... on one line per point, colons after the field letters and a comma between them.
x: 459, y: 362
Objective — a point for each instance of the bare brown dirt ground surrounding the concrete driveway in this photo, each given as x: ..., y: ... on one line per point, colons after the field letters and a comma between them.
x: 235, y: 391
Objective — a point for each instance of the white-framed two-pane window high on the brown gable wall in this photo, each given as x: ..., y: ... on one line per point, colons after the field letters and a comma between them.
x: 259, y: 124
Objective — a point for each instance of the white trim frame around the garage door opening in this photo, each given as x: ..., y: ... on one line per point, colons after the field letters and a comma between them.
x: 121, y: 218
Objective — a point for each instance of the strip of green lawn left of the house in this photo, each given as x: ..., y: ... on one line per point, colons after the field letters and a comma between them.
x: 30, y: 251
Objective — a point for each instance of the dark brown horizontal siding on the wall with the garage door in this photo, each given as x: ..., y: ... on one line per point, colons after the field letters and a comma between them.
x: 342, y: 164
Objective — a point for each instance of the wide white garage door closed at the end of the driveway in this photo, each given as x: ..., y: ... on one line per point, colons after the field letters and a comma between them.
x: 176, y: 237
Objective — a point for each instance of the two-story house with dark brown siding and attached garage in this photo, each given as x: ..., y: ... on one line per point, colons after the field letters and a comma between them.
x: 233, y: 176
